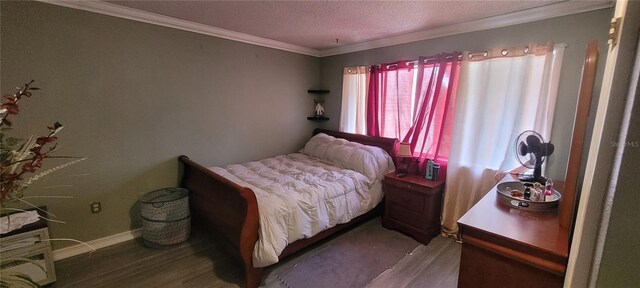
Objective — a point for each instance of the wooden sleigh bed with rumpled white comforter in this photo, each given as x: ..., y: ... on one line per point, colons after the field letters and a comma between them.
x: 229, y: 199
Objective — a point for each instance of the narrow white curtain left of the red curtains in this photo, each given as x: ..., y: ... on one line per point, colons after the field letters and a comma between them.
x: 355, y: 81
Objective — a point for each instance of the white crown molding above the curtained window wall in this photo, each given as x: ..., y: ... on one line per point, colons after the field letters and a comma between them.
x: 519, y: 17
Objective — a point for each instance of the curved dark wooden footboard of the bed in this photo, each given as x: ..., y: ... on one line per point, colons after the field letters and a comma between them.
x: 230, y: 208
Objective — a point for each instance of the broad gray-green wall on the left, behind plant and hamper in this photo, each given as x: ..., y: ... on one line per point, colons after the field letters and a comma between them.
x: 134, y: 96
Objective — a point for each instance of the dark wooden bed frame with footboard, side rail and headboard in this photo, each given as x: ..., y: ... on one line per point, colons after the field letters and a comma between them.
x: 232, y: 210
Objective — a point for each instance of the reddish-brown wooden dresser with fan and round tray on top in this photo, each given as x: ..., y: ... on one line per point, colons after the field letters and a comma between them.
x: 510, y: 247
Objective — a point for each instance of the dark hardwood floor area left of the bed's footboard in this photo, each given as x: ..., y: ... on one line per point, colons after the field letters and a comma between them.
x: 195, y: 263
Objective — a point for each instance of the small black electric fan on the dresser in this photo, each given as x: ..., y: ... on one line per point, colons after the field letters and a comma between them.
x: 531, y: 151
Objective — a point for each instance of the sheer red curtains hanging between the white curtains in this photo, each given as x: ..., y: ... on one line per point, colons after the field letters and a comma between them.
x: 422, y: 118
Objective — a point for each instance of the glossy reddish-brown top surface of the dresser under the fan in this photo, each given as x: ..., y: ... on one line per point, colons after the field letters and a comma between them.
x: 534, y: 229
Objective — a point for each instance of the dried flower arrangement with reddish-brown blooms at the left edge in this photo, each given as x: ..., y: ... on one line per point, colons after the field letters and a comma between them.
x: 20, y: 158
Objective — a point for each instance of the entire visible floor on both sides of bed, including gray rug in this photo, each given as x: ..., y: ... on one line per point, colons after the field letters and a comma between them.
x: 201, y: 262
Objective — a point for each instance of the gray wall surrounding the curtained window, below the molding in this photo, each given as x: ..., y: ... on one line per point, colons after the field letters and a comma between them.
x: 575, y: 30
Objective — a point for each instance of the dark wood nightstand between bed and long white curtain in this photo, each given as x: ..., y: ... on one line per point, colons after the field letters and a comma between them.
x: 412, y: 205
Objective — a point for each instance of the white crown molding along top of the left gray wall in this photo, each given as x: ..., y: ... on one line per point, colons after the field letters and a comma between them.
x: 167, y: 21
